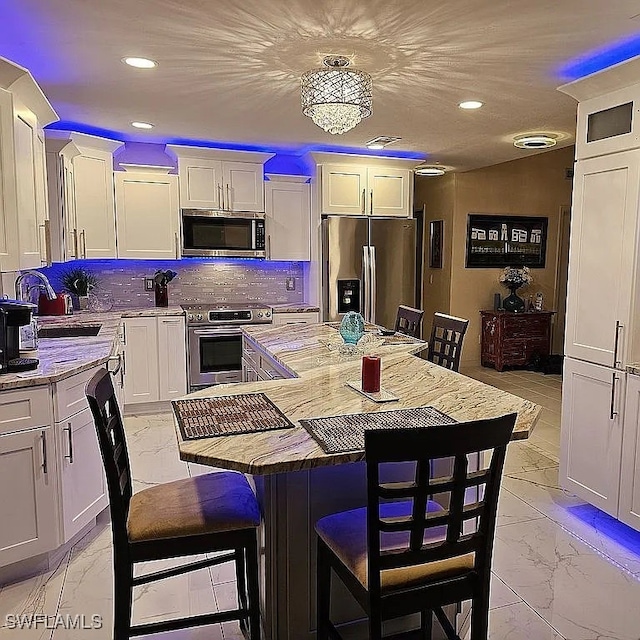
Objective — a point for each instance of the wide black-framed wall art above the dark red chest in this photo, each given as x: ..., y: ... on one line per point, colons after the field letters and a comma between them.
x: 504, y: 241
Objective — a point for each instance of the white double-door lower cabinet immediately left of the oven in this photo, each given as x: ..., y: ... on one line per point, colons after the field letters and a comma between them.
x: 155, y: 359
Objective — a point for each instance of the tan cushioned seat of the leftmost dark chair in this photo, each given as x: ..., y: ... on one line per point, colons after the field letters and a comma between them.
x: 194, y: 506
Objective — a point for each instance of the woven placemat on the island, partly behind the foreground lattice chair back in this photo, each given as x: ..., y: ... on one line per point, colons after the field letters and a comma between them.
x: 339, y: 434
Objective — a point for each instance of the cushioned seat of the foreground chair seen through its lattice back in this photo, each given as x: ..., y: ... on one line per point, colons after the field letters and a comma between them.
x: 345, y: 534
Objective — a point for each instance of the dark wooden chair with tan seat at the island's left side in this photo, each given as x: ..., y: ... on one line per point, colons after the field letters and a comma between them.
x: 216, y: 512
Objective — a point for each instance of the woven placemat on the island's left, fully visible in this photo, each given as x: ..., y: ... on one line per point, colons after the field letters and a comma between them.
x: 228, y: 415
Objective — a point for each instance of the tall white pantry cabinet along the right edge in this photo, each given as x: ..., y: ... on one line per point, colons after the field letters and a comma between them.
x: 600, y: 435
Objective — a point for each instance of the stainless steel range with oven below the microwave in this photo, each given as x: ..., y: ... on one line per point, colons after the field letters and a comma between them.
x: 214, y: 338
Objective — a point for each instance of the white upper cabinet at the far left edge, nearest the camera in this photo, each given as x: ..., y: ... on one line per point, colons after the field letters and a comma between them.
x: 24, y: 111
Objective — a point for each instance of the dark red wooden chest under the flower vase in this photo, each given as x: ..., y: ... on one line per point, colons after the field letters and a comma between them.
x: 514, y: 338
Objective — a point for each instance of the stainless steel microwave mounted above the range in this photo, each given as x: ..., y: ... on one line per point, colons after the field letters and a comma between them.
x: 222, y: 234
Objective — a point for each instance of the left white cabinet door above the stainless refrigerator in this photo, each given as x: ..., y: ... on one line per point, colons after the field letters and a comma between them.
x: 344, y: 189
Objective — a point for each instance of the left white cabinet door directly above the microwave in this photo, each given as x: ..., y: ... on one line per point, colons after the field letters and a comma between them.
x: 200, y: 183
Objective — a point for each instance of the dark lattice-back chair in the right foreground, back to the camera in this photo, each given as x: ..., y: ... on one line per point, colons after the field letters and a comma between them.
x: 405, y: 553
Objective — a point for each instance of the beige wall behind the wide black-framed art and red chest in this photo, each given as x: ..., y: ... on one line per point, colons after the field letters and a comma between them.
x: 532, y: 186
